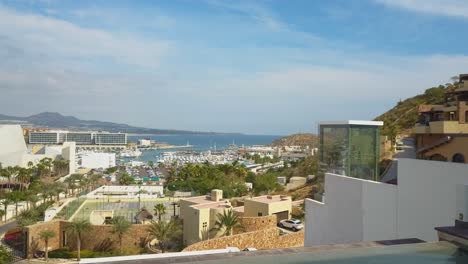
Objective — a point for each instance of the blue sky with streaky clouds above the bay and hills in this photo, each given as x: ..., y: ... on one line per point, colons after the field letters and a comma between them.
x: 262, y: 67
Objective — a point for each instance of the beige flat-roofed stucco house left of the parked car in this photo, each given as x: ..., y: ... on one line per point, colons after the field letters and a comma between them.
x: 199, y: 214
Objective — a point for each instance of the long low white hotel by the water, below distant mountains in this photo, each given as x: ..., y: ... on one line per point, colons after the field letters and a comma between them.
x: 81, y: 138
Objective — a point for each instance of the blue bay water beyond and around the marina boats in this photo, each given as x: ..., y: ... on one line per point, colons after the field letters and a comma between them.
x: 201, y: 142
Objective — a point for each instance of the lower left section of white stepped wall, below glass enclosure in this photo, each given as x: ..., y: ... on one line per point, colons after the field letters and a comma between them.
x: 353, y: 210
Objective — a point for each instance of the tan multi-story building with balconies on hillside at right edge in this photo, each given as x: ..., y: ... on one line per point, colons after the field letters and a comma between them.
x: 442, y: 131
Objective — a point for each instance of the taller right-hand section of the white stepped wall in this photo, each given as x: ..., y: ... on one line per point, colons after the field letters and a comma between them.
x: 427, y: 196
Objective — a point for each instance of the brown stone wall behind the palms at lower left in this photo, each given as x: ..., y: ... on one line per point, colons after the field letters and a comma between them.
x: 133, y: 239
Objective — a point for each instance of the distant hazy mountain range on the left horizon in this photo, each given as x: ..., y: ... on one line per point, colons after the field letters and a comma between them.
x: 56, y: 120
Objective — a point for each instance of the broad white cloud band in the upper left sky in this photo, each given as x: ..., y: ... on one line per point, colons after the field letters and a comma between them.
x: 41, y: 36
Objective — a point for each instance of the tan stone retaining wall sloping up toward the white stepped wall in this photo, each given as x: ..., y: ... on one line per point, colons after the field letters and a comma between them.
x: 263, y: 239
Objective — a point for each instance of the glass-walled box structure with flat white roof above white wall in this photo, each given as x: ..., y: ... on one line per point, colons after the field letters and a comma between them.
x: 351, y: 148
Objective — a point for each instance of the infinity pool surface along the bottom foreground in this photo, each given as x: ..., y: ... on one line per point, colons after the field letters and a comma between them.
x: 370, y: 252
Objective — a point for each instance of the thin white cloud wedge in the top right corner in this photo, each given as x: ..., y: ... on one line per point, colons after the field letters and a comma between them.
x: 454, y: 8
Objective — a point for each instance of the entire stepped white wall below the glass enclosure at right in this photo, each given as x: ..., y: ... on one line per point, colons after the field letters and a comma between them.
x: 358, y: 210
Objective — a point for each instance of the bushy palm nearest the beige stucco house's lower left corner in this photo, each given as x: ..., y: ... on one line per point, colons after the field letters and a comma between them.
x: 164, y: 232
